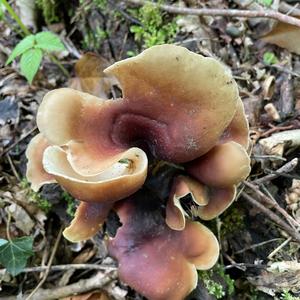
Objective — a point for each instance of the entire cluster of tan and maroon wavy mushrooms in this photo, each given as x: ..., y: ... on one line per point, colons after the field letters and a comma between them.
x: 178, y: 107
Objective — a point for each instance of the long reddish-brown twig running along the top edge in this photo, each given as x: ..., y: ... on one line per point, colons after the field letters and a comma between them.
x: 266, y: 13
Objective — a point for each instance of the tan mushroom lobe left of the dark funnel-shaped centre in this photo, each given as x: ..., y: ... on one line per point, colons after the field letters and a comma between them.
x: 84, y: 127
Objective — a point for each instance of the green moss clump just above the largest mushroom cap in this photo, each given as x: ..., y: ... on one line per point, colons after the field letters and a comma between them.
x: 154, y: 28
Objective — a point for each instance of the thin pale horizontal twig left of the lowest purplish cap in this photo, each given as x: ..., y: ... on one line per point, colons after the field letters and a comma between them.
x: 65, y: 267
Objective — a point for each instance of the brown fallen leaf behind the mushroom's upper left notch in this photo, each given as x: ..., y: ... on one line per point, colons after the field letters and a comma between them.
x: 90, y: 77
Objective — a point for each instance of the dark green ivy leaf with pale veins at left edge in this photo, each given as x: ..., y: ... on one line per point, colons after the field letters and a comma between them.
x: 14, y: 254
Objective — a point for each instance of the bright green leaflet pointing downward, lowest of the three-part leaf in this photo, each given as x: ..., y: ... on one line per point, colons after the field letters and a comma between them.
x: 30, y: 63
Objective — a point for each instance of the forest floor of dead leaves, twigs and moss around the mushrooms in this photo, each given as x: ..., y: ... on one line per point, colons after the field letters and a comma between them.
x: 259, y: 234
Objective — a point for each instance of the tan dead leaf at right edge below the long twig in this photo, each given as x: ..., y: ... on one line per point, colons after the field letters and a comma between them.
x: 284, y: 35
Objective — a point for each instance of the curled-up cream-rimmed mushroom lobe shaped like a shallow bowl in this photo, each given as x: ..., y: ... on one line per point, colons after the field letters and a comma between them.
x: 120, y: 180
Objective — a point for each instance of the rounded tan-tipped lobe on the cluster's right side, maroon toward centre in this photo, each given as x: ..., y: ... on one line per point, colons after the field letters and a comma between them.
x: 225, y: 165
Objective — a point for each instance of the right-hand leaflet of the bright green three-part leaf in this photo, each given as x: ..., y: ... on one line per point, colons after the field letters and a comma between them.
x: 49, y: 41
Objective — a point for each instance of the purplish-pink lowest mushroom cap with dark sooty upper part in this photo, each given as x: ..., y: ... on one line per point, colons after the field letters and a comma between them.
x: 158, y: 262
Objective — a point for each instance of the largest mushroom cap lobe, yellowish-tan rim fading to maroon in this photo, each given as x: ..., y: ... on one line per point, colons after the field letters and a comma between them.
x: 194, y: 96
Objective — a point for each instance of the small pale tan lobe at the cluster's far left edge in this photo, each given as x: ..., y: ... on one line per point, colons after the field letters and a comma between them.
x: 35, y: 172
